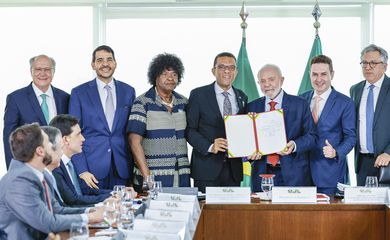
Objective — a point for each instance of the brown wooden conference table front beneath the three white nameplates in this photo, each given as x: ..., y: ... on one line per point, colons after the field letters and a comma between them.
x: 265, y: 220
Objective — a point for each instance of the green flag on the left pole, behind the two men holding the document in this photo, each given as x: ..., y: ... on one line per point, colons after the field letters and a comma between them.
x: 244, y: 79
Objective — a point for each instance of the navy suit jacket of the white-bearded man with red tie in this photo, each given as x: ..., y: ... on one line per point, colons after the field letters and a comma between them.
x: 299, y: 128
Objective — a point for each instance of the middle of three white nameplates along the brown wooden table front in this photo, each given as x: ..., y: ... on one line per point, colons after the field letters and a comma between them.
x: 294, y: 195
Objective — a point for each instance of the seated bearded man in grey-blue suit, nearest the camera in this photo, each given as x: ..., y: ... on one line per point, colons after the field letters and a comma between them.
x: 27, y: 208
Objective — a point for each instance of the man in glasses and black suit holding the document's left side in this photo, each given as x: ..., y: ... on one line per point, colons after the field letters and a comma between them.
x: 205, y: 126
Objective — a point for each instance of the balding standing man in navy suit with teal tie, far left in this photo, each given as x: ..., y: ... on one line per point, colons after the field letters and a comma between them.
x: 38, y: 102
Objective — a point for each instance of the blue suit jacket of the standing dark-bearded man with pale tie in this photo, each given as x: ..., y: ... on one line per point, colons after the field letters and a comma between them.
x: 101, y: 143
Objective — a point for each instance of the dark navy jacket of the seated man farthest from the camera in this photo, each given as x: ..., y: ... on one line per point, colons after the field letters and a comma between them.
x: 68, y: 191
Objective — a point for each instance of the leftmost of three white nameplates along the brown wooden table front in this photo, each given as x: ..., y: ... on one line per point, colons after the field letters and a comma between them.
x: 228, y: 195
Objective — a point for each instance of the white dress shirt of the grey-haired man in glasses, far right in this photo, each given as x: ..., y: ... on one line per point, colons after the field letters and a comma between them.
x: 362, y: 112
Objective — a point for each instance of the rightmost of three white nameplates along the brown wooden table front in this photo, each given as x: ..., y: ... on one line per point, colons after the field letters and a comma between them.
x: 365, y: 195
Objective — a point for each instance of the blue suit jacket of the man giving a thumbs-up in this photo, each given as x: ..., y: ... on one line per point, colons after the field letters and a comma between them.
x: 336, y: 124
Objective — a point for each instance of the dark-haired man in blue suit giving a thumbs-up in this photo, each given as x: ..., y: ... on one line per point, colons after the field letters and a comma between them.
x: 335, y: 119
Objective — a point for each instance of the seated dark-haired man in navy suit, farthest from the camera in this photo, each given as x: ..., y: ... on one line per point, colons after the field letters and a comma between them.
x: 66, y: 177
